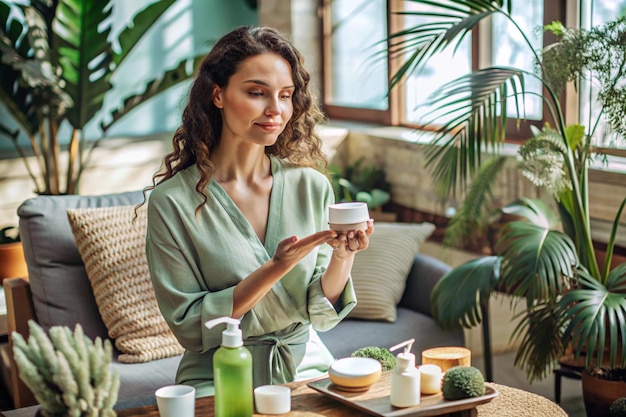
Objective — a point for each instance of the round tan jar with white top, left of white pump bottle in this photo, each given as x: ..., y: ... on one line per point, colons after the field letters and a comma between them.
x: 354, y: 374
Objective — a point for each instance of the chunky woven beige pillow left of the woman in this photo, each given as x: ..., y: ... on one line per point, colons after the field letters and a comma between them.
x: 112, y: 246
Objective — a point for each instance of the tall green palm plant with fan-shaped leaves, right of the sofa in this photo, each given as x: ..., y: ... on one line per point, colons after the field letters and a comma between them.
x: 545, y: 257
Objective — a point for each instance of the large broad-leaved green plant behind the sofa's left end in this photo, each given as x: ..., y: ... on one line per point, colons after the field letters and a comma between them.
x: 58, y: 58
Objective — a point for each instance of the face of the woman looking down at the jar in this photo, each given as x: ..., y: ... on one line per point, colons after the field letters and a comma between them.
x: 257, y: 103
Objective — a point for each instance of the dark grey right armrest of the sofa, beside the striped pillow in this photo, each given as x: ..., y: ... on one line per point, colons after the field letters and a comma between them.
x: 424, y: 274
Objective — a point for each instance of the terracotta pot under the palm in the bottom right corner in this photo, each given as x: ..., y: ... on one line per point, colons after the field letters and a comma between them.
x: 599, y: 394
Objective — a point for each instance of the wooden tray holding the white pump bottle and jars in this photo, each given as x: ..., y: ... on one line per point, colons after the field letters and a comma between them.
x: 375, y: 401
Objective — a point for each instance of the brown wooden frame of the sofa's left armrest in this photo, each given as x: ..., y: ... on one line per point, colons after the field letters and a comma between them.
x: 19, y: 311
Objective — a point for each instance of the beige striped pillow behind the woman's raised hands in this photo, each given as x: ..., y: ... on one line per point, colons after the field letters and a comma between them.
x: 379, y: 273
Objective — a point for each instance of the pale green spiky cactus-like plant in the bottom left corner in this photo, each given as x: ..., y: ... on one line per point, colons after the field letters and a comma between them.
x: 68, y: 373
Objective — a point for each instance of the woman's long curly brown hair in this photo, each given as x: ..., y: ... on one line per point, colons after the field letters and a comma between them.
x: 199, y: 133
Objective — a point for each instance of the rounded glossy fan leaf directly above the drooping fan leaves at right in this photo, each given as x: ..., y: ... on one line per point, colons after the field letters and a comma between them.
x: 538, y: 262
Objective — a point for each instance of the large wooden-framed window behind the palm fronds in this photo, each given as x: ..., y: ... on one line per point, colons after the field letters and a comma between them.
x: 358, y: 26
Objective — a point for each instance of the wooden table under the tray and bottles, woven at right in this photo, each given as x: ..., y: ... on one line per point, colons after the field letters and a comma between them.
x: 306, y: 402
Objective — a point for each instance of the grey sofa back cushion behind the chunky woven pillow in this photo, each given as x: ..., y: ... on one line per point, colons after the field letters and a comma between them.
x: 54, y: 264
